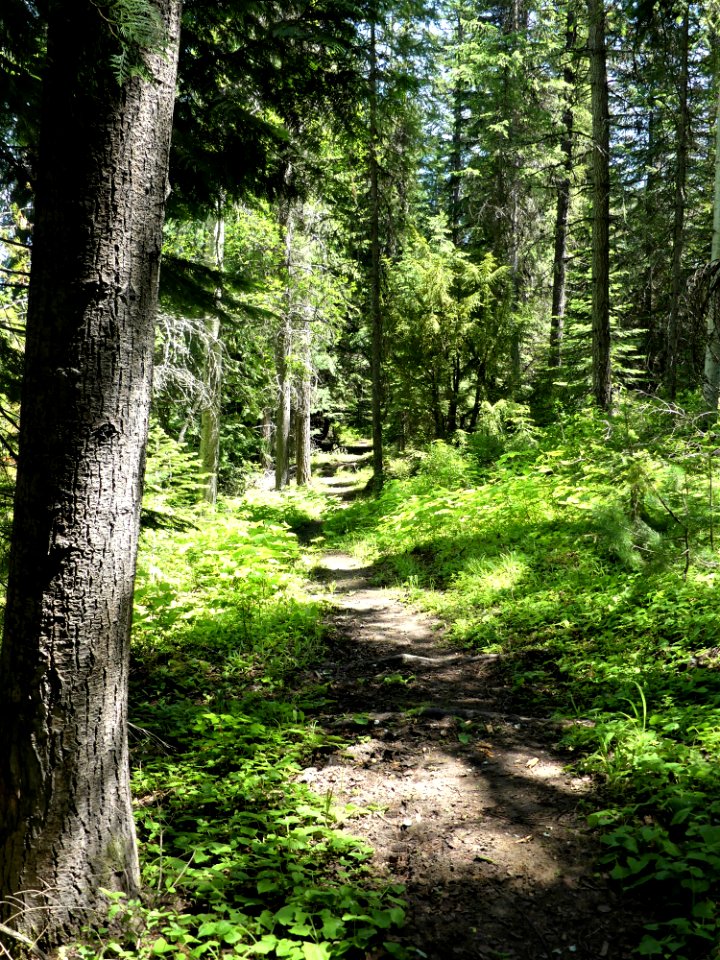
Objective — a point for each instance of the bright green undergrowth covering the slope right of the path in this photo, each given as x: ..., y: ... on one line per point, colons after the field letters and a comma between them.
x: 587, y: 555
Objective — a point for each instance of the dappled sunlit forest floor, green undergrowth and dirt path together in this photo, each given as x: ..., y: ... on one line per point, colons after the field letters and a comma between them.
x: 549, y: 678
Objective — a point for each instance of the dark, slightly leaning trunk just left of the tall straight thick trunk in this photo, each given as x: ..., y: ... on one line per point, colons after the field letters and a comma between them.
x: 562, y: 210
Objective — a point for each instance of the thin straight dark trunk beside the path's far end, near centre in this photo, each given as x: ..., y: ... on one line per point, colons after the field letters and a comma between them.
x: 375, y: 278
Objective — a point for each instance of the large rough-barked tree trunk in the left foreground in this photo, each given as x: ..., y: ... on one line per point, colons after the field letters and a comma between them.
x: 66, y: 823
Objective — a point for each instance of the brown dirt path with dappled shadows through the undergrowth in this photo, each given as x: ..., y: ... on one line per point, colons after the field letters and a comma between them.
x: 467, y: 804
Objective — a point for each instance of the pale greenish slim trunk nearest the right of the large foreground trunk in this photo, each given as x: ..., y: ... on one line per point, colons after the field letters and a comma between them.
x: 210, y: 414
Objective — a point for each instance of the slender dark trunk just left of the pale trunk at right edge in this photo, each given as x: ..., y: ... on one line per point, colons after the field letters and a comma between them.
x: 683, y: 125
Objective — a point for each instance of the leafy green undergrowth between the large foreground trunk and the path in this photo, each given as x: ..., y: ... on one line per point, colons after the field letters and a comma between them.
x: 238, y: 858
